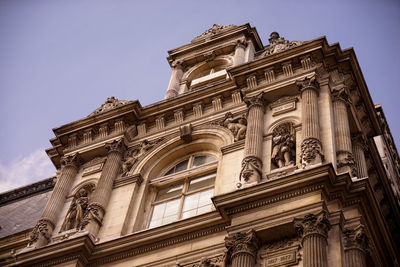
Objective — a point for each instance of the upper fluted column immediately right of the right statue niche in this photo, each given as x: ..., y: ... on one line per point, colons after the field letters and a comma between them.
x: 311, y: 146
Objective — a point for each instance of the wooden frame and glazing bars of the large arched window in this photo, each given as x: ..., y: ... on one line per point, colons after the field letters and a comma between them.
x: 185, y: 177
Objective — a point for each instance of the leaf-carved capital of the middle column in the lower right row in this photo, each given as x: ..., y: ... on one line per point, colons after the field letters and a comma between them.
x: 313, y: 224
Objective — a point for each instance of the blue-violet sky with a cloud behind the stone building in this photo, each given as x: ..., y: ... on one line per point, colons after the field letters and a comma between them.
x: 60, y: 60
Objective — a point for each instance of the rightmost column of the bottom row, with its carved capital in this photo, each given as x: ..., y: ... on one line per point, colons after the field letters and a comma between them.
x: 355, y: 247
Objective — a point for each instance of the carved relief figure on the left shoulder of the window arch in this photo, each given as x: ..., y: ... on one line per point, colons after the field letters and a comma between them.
x: 134, y: 155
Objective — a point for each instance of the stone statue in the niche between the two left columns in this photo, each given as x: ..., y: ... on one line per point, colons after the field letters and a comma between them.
x: 76, y: 211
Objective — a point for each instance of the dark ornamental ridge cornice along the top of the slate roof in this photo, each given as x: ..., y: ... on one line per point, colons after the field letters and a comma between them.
x: 29, y: 190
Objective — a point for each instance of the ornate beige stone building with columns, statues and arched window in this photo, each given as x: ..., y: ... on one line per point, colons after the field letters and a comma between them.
x: 258, y: 156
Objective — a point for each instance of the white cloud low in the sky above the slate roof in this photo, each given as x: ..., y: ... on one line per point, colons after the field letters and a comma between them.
x: 31, y: 168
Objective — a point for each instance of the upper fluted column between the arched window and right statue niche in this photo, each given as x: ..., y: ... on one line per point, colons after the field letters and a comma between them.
x: 252, y: 163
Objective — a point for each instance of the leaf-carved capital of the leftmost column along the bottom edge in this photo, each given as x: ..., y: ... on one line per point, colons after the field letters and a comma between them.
x: 242, y: 242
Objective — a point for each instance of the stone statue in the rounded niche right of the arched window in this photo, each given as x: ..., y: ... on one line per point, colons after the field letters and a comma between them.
x: 283, y: 146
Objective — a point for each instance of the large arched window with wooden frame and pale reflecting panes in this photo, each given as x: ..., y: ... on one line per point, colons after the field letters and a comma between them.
x: 186, y: 190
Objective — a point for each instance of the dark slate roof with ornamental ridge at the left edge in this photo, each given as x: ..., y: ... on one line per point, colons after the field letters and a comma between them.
x: 21, y: 208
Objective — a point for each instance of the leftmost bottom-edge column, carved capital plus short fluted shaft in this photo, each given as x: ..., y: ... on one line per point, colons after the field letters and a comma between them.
x: 242, y: 248
